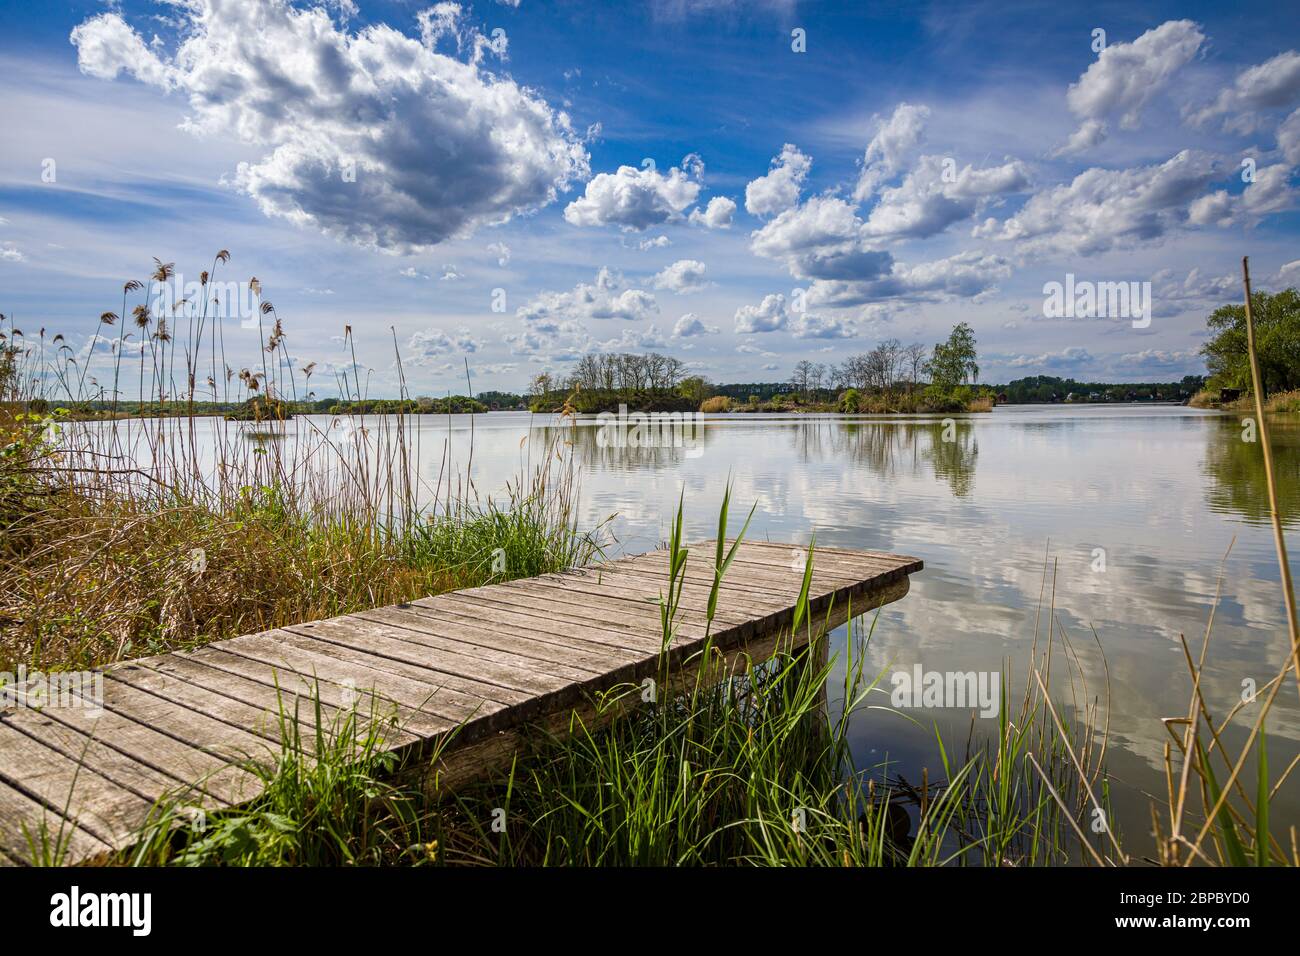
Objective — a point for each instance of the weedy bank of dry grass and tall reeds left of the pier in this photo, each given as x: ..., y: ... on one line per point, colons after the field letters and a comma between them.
x: 123, y: 539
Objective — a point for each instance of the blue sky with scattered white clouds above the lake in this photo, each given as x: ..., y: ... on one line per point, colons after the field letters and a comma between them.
x: 518, y: 185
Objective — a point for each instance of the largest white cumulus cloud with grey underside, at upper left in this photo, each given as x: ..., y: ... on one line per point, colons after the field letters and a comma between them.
x: 372, y: 136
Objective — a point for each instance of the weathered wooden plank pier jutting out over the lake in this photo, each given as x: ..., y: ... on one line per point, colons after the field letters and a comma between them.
x: 487, y: 667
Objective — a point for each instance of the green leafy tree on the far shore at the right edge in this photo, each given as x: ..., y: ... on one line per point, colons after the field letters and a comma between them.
x: 1277, y: 340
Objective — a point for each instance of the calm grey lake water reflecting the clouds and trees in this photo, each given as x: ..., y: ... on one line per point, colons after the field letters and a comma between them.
x: 1172, y: 496
